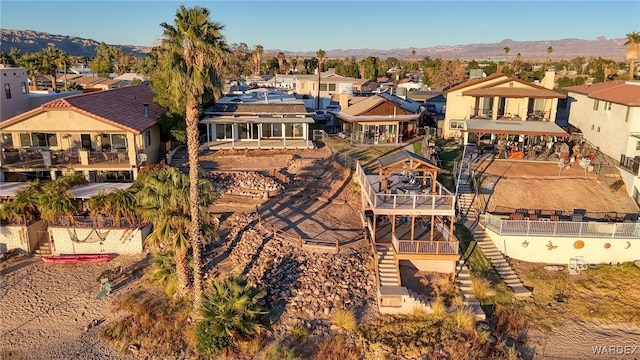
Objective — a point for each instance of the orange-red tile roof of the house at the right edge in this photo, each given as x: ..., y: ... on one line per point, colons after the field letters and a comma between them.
x: 619, y: 92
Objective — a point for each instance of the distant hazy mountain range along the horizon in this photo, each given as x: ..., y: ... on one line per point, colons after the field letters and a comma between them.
x: 33, y: 41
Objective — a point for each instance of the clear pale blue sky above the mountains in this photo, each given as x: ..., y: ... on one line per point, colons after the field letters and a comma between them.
x: 311, y: 25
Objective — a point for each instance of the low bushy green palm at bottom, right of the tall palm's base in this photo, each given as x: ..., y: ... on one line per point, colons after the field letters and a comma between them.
x: 230, y: 312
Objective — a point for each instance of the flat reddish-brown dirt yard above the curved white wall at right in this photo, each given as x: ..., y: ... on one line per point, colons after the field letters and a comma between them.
x: 509, y: 185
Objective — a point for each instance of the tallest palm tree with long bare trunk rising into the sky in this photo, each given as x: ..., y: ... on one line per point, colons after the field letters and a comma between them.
x: 196, y: 49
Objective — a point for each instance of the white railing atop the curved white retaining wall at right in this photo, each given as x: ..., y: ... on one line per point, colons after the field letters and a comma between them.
x: 561, y: 228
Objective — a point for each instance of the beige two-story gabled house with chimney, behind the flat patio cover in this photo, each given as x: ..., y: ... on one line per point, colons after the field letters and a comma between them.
x: 499, y: 97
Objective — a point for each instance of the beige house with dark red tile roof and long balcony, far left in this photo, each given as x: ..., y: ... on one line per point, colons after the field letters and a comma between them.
x: 107, y: 135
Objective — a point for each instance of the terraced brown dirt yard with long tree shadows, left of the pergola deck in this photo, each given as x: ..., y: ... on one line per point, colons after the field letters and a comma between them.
x: 316, y: 204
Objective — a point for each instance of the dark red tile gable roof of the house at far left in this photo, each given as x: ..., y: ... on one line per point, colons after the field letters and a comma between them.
x: 123, y: 108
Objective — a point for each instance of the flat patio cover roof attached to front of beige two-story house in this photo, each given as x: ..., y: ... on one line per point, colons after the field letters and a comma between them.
x: 513, y: 127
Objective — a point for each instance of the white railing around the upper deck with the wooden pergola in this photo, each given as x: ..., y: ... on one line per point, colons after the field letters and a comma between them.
x: 443, y: 199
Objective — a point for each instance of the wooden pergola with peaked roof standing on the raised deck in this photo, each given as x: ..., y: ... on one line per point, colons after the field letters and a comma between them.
x: 403, y: 161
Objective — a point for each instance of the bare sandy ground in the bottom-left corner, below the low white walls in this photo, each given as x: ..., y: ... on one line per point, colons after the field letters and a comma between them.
x: 45, y: 308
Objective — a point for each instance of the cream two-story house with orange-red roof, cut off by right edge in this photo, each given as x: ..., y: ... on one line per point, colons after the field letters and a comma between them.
x: 608, y: 115
